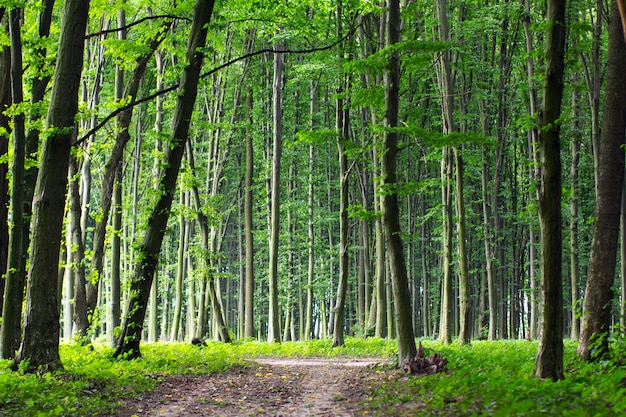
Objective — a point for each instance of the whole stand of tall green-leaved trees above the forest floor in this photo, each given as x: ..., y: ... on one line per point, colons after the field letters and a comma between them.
x: 288, y: 171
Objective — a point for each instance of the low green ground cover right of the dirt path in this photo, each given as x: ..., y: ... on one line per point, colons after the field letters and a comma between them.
x: 494, y: 379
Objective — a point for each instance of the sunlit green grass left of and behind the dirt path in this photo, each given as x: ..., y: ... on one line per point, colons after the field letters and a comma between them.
x: 92, y: 382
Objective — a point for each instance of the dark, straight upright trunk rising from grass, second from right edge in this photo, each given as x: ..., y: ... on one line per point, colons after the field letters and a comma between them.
x: 549, y: 362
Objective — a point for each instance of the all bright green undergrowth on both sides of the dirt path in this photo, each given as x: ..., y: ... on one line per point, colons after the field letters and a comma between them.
x: 486, y: 378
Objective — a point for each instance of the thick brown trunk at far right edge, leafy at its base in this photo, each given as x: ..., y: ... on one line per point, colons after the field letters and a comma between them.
x: 596, y: 319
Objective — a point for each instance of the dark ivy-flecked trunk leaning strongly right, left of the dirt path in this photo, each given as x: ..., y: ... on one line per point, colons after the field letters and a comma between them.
x: 130, y: 337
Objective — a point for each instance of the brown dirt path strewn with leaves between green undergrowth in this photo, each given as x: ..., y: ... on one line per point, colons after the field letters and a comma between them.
x: 268, y: 387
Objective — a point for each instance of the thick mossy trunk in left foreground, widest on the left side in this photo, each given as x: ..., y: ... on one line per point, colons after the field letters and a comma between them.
x: 40, y: 338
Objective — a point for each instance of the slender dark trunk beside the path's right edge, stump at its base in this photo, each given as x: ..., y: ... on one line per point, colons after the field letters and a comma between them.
x: 391, y: 215
